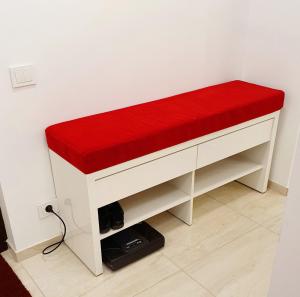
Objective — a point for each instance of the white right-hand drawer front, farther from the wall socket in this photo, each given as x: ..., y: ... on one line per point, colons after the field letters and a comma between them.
x: 233, y: 143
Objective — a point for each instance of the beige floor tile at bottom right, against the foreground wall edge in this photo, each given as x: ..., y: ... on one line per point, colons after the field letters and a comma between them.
x: 240, y: 268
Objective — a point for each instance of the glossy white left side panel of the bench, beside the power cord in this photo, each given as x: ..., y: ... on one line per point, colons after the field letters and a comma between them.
x: 78, y: 212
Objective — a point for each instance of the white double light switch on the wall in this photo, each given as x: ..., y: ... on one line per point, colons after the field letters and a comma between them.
x: 22, y: 76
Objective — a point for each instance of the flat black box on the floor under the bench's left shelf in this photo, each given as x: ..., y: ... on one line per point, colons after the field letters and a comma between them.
x: 130, y: 245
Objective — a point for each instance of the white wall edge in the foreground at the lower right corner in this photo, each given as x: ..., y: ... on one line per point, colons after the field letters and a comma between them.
x: 285, y: 280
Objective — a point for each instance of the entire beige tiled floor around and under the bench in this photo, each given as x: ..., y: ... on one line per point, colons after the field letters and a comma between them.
x: 228, y: 252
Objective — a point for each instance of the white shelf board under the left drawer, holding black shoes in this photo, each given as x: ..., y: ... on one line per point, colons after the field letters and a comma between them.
x: 146, y: 204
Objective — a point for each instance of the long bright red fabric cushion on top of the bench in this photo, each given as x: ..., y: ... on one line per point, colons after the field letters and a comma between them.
x: 99, y: 141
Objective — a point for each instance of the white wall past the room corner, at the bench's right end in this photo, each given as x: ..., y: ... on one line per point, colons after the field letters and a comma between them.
x: 271, y: 57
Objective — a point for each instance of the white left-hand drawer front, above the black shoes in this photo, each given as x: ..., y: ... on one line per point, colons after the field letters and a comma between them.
x: 131, y: 181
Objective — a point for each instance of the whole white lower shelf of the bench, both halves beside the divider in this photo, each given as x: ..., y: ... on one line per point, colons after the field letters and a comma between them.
x: 148, y: 203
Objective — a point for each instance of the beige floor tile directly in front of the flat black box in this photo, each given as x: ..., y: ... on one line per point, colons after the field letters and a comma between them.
x: 135, y: 278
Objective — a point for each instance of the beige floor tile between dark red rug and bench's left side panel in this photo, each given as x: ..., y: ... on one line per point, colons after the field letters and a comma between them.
x: 62, y: 274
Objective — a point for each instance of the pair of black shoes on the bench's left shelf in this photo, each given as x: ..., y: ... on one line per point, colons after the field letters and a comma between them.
x: 110, y: 217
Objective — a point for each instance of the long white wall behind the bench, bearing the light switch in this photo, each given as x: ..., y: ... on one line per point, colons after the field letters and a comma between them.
x: 93, y: 56
